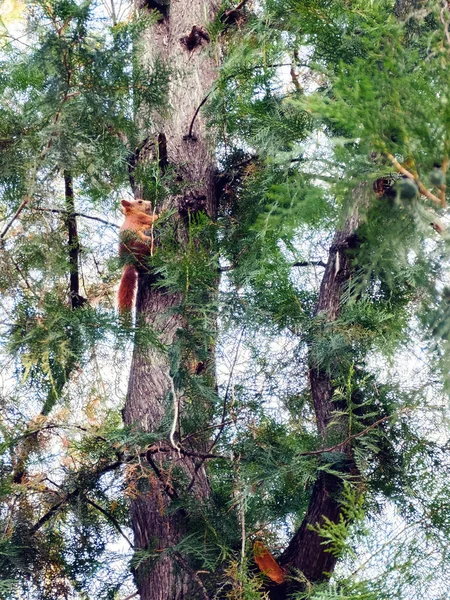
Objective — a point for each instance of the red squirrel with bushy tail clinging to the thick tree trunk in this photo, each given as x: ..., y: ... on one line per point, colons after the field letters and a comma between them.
x: 135, y: 244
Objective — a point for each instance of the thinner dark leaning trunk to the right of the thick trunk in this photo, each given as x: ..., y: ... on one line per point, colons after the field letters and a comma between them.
x: 306, y: 551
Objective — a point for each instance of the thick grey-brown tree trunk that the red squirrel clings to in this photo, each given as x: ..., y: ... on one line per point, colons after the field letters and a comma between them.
x: 157, y: 525
